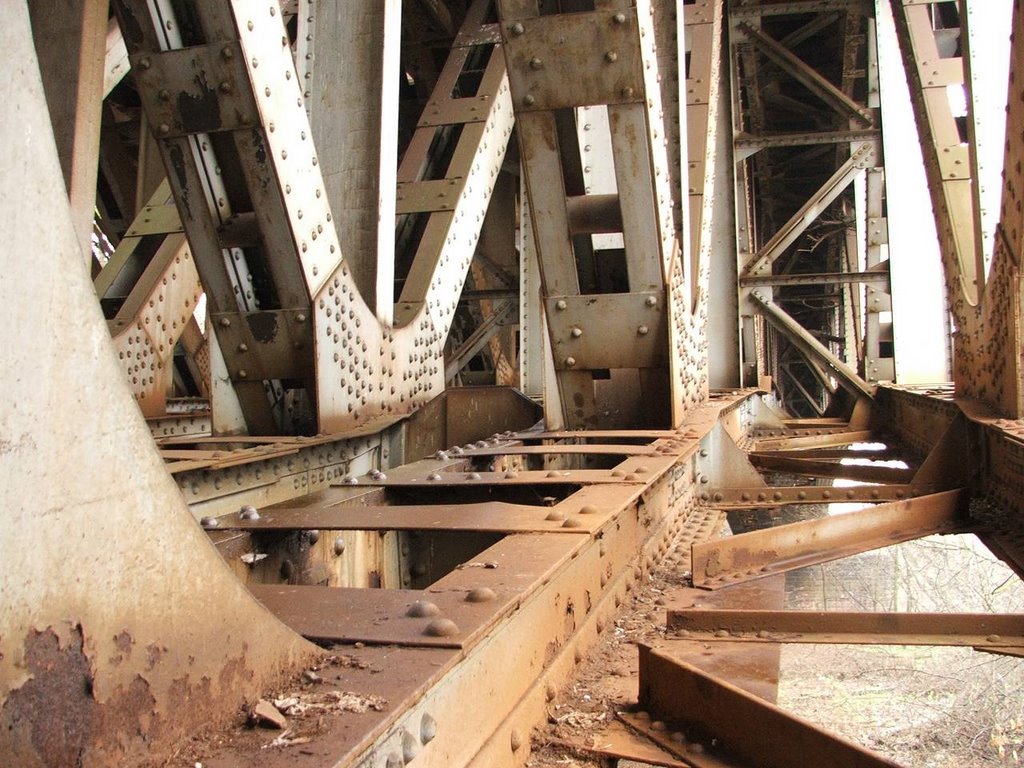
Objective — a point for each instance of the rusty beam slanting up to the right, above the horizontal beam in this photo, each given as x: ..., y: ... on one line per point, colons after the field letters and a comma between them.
x: 812, y: 542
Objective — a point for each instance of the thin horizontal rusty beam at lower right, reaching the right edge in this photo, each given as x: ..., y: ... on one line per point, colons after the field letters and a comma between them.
x: 848, y: 627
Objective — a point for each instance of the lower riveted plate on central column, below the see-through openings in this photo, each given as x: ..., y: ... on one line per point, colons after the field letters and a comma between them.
x: 609, y: 331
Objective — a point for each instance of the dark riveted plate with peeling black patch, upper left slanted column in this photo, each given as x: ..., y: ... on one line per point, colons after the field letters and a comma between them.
x: 202, y: 90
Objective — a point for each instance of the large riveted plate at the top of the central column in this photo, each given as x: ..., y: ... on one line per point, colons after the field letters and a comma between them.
x: 546, y: 58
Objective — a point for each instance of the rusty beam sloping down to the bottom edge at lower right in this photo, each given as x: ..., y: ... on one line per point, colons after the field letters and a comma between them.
x: 739, y: 723
